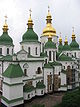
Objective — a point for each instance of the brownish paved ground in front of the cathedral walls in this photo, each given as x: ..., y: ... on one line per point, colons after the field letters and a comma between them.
x: 48, y: 100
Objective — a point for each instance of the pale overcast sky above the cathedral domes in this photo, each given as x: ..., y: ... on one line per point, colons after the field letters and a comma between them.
x: 65, y: 15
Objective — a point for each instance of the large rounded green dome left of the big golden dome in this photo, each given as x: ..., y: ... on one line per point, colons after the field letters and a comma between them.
x: 30, y: 35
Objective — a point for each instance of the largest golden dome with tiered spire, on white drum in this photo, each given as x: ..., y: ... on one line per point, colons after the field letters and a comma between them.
x: 49, y: 30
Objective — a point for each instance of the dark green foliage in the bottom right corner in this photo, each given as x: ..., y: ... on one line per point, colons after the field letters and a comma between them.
x: 71, y: 99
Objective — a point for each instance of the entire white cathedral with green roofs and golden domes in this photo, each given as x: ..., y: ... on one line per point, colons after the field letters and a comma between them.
x: 40, y: 67
